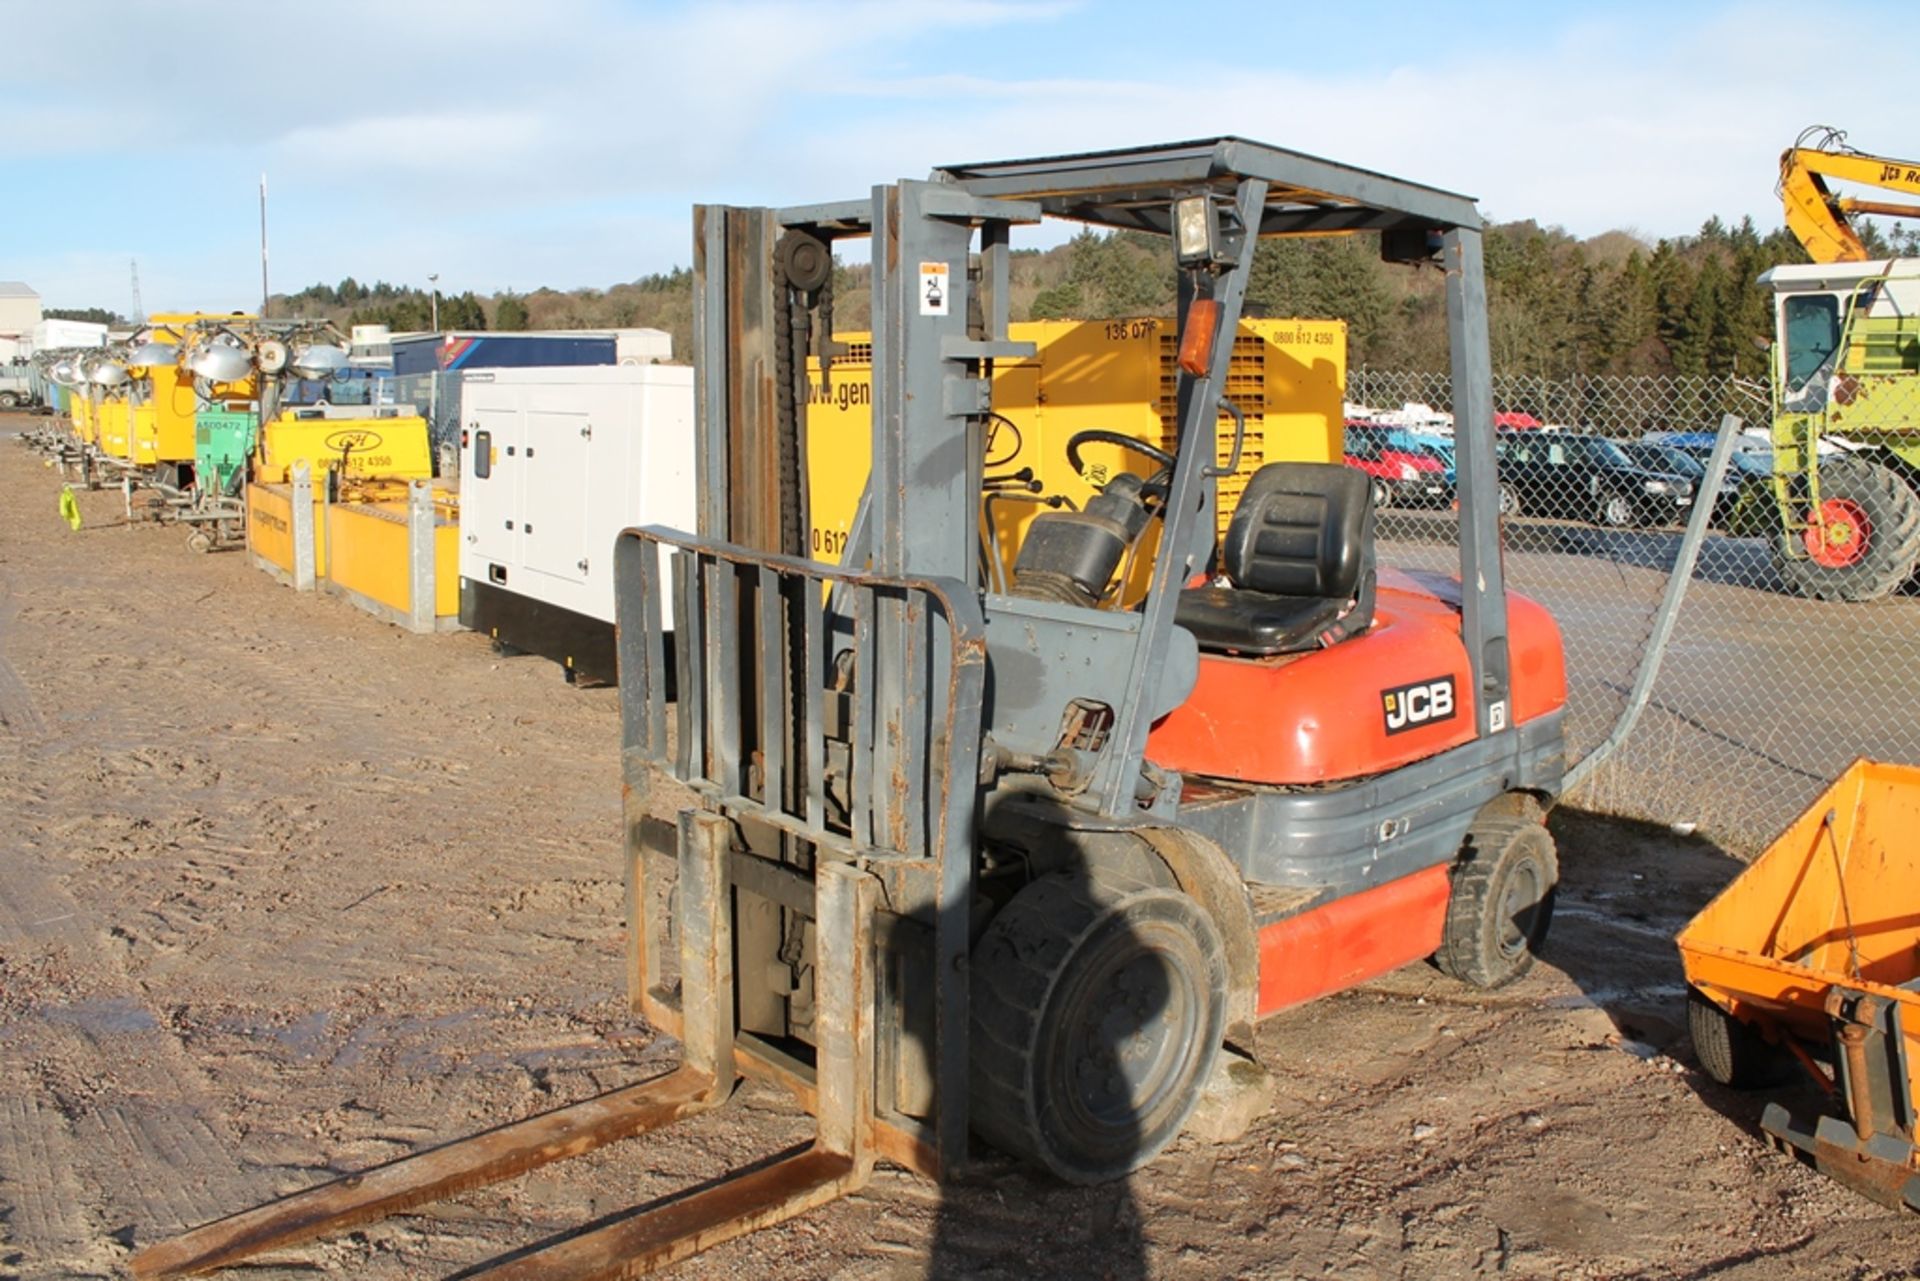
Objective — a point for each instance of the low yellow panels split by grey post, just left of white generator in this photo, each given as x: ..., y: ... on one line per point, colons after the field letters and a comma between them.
x: 370, y: 556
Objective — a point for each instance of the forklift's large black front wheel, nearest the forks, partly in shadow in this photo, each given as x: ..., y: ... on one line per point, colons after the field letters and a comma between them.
x: 1097, y: 1015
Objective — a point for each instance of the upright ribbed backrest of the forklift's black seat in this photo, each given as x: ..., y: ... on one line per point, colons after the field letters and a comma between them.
x: 1303, y: 529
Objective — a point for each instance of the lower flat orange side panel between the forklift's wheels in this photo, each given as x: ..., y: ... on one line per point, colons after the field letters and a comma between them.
x: 1353, y: 940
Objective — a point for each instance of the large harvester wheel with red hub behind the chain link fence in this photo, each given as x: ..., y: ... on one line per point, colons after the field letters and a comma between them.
x: 1873, y: 495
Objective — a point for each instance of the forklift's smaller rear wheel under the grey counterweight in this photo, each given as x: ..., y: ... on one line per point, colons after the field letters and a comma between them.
x: 1502, y: 902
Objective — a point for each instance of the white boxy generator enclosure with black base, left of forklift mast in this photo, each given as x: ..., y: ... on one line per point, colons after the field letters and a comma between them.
x: 554, y: 466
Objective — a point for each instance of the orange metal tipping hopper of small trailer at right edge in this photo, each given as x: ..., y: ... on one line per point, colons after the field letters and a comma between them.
x: 1833, y: 902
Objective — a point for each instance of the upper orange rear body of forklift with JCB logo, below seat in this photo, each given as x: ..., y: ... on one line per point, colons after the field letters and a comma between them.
x: 1322, y: 717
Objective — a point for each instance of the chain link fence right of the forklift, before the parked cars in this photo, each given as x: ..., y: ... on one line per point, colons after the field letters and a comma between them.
x: 1800, y: 633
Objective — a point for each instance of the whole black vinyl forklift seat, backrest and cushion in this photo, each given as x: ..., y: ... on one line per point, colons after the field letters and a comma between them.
x: 1299, y: 558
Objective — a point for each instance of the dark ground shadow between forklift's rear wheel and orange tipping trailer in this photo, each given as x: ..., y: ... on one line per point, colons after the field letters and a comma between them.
x: 1627, y: 890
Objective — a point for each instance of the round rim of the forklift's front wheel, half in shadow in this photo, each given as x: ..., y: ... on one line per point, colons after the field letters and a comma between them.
x: 1138, y: 1017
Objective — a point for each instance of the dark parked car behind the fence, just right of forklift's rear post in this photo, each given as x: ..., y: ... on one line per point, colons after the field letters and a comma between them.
x: 1587, y: 479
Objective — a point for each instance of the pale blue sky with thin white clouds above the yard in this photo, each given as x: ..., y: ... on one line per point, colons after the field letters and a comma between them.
x: 523, y: 143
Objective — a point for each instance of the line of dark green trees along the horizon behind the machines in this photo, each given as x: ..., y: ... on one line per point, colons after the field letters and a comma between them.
x: 1558, y: 306
